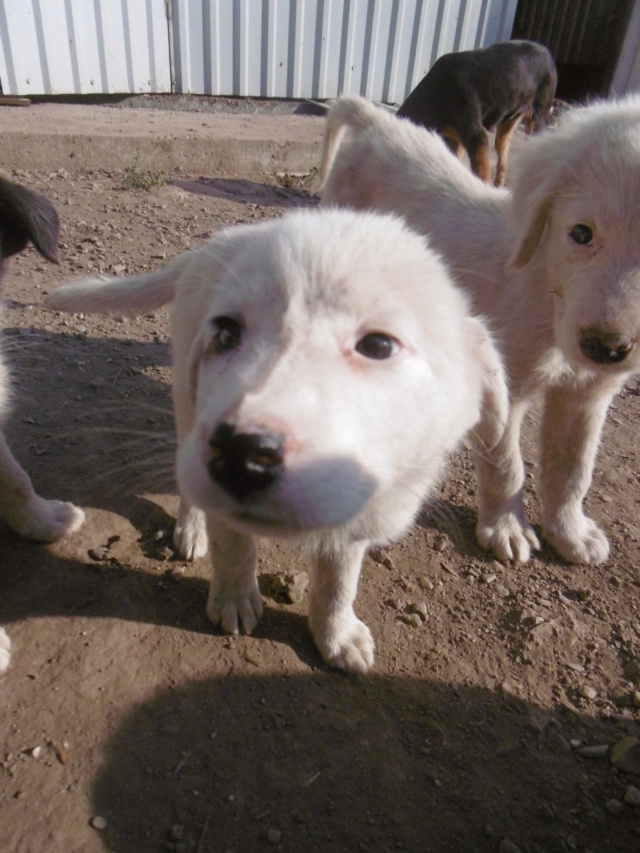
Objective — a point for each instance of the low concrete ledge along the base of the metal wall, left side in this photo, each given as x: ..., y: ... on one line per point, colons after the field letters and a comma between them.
x: 53, y: 136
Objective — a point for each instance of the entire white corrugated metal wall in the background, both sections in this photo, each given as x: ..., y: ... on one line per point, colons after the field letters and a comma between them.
x: 268, y: 48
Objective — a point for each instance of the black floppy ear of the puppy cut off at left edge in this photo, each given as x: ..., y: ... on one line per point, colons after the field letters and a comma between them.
x: 27, y: 215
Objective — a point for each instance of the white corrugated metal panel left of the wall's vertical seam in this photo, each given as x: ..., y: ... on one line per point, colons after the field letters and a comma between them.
x: 83, y: 47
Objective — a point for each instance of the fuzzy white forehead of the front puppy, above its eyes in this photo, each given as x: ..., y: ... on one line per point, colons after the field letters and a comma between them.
x: 367, y: 269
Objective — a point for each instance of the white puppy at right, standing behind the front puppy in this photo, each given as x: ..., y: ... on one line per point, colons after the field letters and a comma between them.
x: 554, y: 266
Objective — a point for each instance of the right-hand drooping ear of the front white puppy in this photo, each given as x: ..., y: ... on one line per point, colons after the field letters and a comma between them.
x: 495, y: 397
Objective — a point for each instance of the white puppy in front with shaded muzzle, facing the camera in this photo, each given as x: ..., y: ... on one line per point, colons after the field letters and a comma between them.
x: 324, y: 368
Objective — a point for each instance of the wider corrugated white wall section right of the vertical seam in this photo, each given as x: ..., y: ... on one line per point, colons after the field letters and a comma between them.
x: 322, y: 48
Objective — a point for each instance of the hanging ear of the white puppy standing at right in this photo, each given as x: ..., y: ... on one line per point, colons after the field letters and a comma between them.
x: 537, y: 180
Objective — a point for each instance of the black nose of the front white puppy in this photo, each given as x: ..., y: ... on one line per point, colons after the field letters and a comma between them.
x: 242, y: 463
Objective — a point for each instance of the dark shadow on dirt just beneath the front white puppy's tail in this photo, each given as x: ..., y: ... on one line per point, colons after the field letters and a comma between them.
x: 92, y: 419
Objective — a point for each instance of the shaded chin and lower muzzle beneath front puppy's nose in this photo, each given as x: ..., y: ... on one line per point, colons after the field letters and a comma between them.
x: 323, y: 494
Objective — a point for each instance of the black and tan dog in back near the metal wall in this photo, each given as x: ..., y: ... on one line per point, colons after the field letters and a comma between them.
x: 466, y: 94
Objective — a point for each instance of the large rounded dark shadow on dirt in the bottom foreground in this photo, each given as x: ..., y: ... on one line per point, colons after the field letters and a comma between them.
x: 335, y: 763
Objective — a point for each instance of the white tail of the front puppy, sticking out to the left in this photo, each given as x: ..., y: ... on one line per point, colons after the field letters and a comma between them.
x: 130, y: 296
